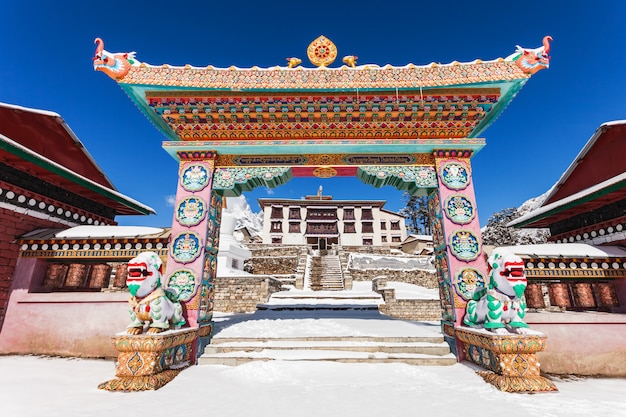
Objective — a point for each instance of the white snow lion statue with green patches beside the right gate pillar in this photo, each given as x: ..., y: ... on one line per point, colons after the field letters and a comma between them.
x: 500, y: 307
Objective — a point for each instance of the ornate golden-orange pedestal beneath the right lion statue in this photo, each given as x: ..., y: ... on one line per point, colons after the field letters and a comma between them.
x: 510, y: 359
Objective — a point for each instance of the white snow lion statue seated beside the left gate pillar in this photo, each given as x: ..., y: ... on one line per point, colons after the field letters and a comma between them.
x: 149, y: 302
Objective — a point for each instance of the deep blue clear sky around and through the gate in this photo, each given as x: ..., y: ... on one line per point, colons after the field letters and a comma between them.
x: 46, y: 50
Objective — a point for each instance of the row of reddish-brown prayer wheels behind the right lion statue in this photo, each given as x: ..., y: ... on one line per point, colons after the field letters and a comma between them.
x: 572, y: 295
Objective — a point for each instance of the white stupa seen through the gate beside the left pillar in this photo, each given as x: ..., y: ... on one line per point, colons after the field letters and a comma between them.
x: 231, y: 256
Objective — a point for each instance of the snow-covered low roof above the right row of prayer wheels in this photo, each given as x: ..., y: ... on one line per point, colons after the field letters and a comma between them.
x: 567, y: 250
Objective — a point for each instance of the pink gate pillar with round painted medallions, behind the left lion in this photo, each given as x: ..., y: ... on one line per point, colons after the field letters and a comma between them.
x: 192, y: 254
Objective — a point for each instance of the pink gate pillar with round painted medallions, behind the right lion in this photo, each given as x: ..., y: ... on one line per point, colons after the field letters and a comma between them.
x: 457, y: 239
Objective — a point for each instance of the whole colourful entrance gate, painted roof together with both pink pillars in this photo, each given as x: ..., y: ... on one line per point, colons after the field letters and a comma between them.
x: 413, y: 127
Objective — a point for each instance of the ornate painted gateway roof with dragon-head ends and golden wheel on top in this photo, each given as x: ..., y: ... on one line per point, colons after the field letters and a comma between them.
x: 365, y: 109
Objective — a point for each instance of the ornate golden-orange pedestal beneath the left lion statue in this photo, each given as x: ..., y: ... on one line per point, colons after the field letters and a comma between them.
x: 147, y: 362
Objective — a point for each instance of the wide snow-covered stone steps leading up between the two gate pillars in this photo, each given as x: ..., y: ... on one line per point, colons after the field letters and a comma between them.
x: 333, y: 326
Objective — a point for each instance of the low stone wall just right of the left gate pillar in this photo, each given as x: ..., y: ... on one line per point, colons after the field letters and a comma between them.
x: 242, y: 294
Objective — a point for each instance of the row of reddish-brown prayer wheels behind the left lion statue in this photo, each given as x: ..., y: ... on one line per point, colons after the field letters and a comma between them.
x: 77, y: 275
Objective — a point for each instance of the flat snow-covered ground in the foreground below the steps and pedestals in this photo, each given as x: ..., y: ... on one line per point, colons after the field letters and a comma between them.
x: 34, y: 386
